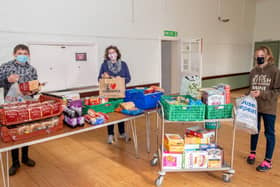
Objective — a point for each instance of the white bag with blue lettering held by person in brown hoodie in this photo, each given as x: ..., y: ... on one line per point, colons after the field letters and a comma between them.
x: 246, y: 114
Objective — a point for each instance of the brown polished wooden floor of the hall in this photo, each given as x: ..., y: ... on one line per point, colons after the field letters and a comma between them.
x: 86, y: 160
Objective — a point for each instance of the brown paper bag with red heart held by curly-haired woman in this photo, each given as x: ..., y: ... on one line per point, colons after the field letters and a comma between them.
x: 112, y: 87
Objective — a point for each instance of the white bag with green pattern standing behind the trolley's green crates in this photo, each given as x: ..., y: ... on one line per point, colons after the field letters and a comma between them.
x: 190, y: 85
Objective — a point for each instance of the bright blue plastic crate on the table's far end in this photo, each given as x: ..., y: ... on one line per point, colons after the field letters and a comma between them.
x: 141, y: 100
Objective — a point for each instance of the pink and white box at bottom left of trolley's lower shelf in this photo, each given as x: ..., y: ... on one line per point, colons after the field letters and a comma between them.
x: 172, y: 161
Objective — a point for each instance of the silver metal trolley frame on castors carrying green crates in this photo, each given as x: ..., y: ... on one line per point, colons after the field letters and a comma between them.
x: 157, y: 157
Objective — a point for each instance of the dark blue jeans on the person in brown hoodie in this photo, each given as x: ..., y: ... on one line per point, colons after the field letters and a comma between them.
x: 269, y: 124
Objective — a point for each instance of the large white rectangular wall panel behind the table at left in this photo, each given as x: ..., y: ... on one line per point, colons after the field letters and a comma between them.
x: 57, y: 65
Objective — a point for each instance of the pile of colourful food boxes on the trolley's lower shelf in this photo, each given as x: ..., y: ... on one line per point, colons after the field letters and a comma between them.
x: 195, y: 151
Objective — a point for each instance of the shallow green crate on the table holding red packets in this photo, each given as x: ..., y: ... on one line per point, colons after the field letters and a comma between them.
x: 105, y: 108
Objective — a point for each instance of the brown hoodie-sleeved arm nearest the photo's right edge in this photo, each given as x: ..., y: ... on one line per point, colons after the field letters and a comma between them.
x: 275, y: 91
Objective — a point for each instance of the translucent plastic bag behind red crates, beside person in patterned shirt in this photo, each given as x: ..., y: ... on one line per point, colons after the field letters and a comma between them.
x: 14, y: 95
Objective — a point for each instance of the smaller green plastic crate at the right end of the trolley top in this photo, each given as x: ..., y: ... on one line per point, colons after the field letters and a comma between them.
x: 219, y: 111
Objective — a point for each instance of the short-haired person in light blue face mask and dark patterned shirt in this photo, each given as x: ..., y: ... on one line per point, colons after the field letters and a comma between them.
x: 18, y: 70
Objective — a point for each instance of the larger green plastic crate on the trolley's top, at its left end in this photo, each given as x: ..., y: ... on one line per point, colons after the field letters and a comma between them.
x: 182, y: 112
